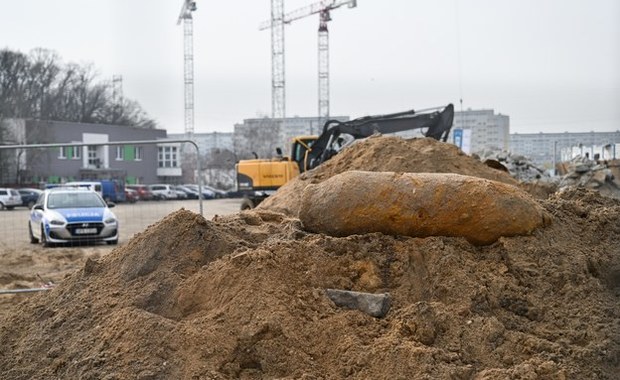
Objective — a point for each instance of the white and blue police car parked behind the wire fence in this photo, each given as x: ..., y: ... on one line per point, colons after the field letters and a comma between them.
x: 65, y: 215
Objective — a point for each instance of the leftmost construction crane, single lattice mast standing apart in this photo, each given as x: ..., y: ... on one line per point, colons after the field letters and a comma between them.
x: 185, y: 16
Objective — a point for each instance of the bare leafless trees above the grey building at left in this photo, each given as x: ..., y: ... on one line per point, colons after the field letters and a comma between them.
x: 39, y: 85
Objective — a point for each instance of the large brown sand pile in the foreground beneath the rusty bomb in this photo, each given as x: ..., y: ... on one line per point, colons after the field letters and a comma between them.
x: 243, y: 296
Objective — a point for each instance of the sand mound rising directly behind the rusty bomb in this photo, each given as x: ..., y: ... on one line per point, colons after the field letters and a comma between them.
x: 385, y: 154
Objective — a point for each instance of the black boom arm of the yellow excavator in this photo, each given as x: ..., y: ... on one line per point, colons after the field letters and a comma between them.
x: 437, y: 123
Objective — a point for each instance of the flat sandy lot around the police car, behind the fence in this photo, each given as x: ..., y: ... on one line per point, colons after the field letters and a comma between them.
x: 25, y: 265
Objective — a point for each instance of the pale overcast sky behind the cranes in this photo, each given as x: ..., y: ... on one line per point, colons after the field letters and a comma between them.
x: 551, y: 65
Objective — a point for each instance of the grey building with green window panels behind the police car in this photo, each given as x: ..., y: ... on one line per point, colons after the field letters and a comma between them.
x: 139, y: 163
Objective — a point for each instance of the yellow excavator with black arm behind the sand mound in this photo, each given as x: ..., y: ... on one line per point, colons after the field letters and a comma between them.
x: 259, y: 178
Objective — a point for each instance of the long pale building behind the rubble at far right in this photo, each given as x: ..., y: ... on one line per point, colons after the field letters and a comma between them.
x: 545, y: 148
